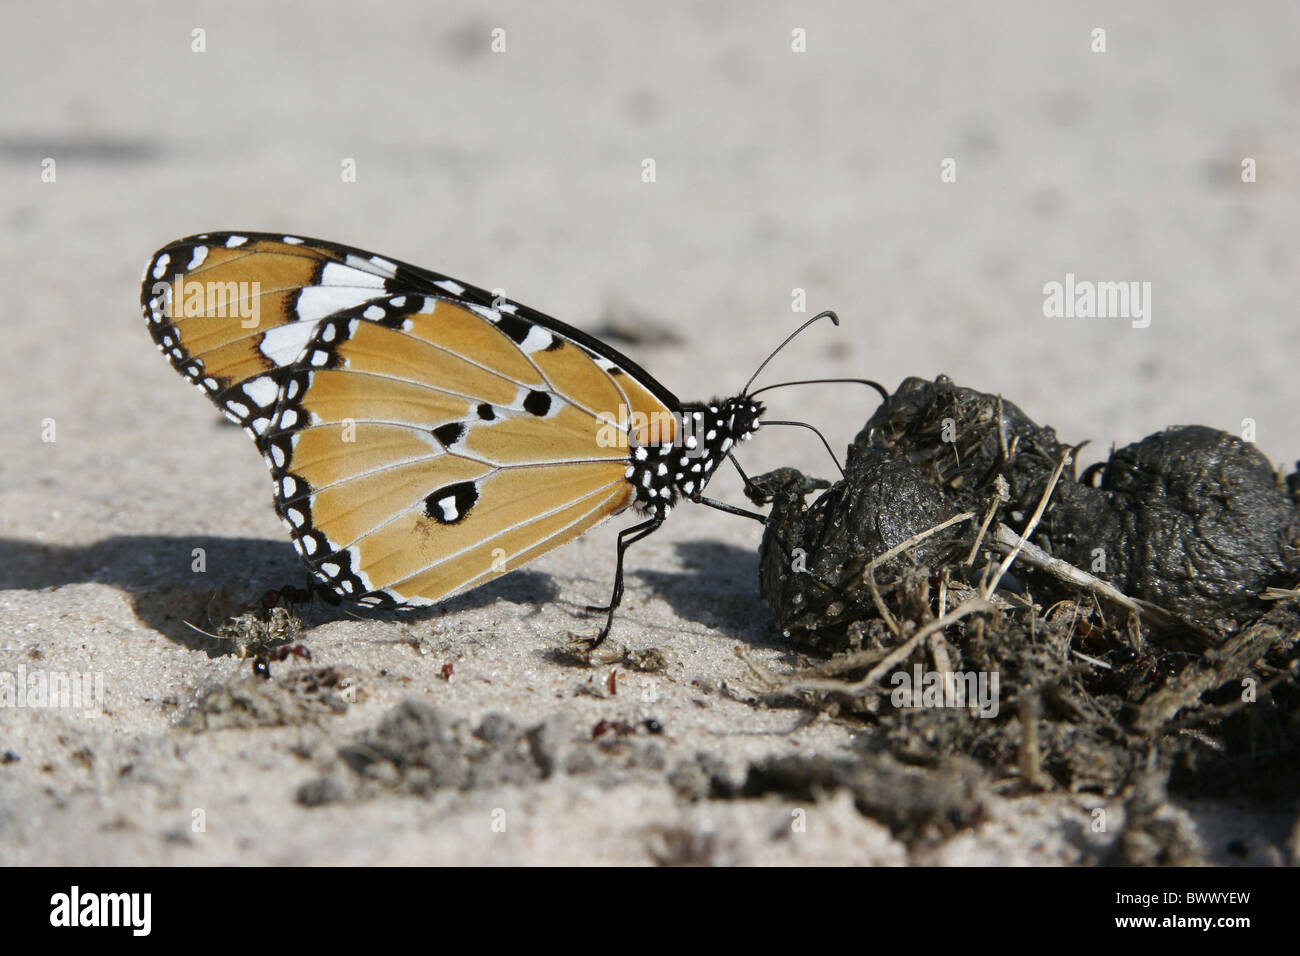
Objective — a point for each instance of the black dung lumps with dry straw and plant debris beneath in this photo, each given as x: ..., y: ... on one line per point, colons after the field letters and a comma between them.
x: 1142, y: 617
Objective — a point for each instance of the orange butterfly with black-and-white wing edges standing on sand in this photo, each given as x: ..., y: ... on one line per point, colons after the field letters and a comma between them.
x: 426, y: 436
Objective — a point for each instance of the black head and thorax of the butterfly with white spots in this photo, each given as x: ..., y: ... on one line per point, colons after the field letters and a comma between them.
x: 664, y: 473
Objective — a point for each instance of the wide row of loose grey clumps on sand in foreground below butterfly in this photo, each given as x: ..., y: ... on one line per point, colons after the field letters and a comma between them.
x: 418, y: 750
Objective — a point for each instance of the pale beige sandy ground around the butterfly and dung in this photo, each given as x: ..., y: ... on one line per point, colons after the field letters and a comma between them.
x: 523, y: 170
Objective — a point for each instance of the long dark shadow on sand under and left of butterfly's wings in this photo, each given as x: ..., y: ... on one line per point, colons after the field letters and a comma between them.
x: 203, y: 579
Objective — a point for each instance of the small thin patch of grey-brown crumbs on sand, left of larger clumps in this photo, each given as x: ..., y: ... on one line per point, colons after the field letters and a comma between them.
x: 300, y: 697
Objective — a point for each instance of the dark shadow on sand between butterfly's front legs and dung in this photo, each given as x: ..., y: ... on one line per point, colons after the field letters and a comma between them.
x: 718, y: 591
